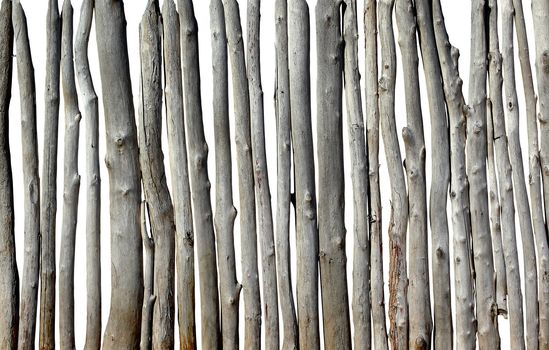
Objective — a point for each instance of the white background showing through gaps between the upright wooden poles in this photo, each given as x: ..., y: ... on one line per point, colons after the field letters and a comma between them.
x: 458, y: 25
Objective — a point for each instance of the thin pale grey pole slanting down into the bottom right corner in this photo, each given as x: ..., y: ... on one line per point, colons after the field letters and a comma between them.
x: 534, y: 177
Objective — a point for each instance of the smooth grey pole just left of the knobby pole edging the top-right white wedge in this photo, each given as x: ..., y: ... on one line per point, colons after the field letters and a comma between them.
x: 440, y: 175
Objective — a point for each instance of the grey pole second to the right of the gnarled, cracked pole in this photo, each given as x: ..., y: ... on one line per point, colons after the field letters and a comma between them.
x: 200, y: 184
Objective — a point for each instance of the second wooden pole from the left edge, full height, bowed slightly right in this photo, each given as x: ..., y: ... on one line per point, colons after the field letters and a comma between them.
x: 31, y: 262
